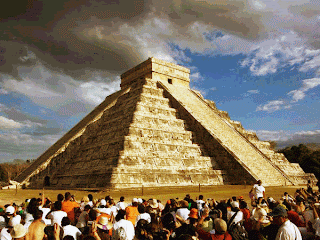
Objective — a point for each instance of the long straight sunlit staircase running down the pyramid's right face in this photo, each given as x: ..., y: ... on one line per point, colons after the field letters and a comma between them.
x: 245, y: 152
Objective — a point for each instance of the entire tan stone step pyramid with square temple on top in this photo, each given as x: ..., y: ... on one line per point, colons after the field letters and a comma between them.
x: 156, y: 131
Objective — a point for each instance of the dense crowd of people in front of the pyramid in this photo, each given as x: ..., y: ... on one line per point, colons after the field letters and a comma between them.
x: 293, y: 217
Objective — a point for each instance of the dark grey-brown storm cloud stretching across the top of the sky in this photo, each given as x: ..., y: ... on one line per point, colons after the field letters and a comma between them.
x: 57, y: 31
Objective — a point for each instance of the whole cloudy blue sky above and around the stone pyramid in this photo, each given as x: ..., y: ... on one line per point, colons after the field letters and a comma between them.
x: 258, y: 60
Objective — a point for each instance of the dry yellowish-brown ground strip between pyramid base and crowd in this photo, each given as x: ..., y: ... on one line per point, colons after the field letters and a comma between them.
x: 163, y: 194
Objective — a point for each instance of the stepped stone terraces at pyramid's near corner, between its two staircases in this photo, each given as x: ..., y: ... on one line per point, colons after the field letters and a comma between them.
x: 140, y: 140
